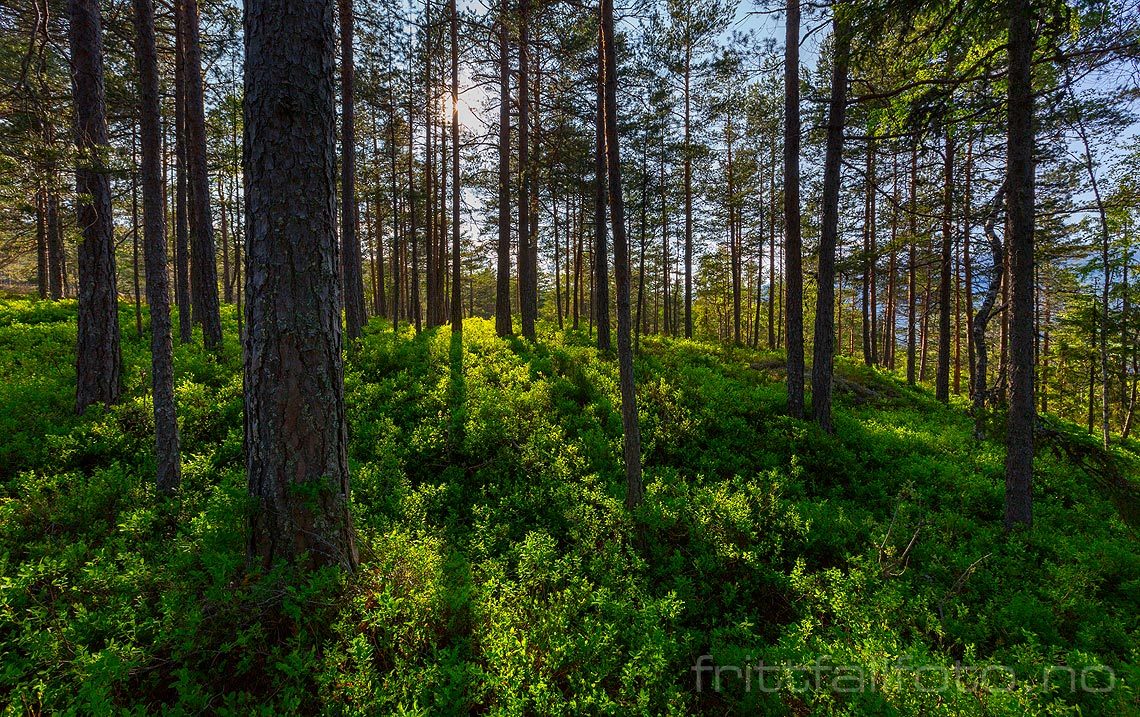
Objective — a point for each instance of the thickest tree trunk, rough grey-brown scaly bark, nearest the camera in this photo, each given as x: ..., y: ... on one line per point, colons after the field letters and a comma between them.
x: 295, y: 394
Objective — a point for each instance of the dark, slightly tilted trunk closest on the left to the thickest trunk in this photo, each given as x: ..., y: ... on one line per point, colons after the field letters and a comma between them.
x: 203, y: 262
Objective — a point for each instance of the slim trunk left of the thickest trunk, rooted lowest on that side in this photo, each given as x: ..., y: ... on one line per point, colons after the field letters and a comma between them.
x: 154, y: 249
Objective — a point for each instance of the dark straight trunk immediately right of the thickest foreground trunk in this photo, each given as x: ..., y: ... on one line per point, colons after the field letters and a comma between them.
x: 352, y: 270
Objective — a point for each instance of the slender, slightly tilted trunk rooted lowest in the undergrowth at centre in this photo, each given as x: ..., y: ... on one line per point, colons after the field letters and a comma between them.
x: 636, y: 492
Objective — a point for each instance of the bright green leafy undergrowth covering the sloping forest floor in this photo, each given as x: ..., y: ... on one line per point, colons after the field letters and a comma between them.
x: 772, y: 571
